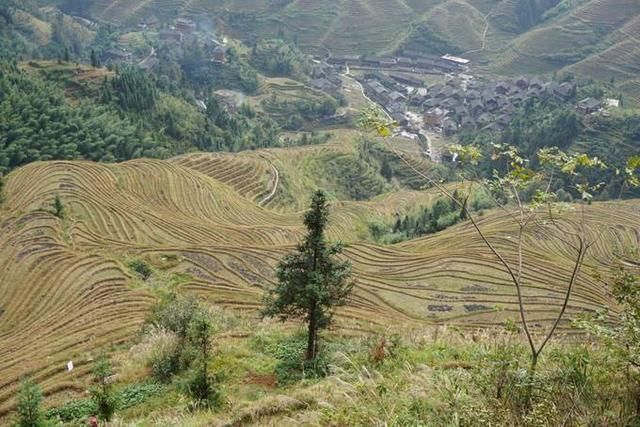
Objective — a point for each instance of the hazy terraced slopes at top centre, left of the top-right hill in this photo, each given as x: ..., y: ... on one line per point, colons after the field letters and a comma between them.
x: 344, y: 26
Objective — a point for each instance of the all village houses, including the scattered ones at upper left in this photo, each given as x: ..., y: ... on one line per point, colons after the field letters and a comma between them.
x: 398, y: 84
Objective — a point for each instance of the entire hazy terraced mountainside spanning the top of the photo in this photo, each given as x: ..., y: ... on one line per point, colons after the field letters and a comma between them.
x: 593, y: 38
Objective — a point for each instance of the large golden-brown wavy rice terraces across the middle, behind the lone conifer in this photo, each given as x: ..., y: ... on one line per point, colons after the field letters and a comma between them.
x: 65, y: 290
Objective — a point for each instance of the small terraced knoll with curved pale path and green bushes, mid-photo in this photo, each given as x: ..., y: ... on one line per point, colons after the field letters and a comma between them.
x: 280, y: 178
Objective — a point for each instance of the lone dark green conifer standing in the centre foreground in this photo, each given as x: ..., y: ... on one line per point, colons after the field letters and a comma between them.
x: 312, y: 281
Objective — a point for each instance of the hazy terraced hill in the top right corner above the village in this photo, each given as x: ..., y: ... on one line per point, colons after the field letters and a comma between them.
x: 599, y: 40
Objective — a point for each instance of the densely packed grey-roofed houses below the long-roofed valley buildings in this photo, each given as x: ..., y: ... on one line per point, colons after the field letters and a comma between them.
x: 465, y: 103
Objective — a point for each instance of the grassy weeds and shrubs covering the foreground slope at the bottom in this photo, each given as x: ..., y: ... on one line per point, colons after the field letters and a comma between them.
x: 417, y: 378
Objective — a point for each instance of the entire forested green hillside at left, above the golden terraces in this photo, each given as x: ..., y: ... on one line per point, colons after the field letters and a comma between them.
x: 130, y: 118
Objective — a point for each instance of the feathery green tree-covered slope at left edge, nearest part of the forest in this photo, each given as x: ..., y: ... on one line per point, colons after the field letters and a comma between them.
x: 39, y: 124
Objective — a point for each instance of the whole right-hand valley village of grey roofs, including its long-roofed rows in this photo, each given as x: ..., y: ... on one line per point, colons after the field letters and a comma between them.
x: 459, y: 102
